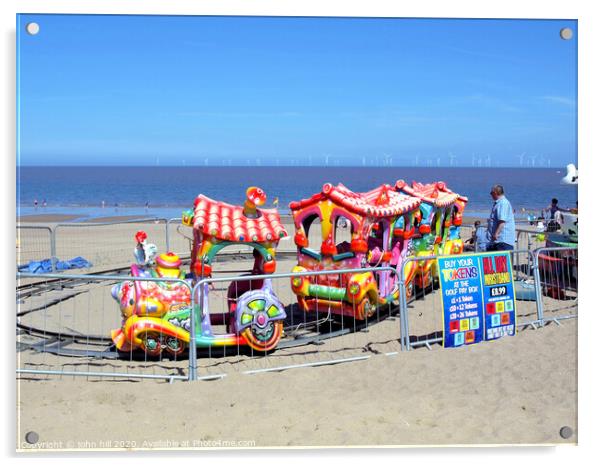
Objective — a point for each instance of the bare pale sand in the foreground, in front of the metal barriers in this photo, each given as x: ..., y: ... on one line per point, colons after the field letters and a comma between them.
x: 518, y: 390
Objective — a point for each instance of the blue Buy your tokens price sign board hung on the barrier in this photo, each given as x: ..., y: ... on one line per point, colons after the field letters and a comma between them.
x: 477, y: 294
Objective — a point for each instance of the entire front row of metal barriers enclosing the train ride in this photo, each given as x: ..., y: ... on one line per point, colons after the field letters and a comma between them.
x: 64, y: 323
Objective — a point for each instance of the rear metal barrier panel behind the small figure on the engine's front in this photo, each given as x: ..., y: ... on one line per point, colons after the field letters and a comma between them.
x: 107, y: 245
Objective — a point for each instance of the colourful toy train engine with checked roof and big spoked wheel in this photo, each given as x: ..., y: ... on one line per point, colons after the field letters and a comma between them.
x: 156, y: 313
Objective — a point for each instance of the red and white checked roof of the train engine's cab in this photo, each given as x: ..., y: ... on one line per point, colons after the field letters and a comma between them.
x: 228, y: 222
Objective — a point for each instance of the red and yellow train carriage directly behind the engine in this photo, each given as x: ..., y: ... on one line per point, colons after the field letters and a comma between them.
x: 377, y: 227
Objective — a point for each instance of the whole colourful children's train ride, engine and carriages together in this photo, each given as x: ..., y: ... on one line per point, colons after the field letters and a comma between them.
x: 376, y: 229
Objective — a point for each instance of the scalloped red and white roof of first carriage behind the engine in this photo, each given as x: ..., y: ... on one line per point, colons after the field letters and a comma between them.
x: 383, y: 201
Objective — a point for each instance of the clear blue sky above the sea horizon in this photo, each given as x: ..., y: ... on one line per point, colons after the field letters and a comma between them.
x: 147, y: 90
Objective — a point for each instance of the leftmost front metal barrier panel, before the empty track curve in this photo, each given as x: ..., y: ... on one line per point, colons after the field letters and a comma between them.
x: 64, y: 326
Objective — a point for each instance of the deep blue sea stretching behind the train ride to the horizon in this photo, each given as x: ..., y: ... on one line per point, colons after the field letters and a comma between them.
x: 91, y: 192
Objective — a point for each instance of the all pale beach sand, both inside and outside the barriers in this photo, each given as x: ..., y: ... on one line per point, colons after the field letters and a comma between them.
x: 517, y: 390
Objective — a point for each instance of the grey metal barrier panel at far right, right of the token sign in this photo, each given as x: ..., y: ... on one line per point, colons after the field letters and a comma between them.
x: 557, y: 283
